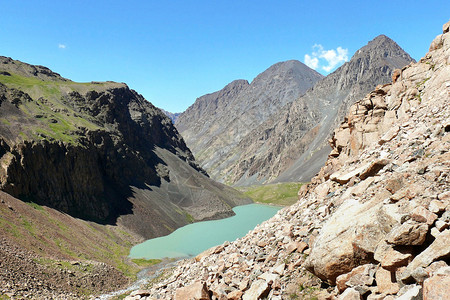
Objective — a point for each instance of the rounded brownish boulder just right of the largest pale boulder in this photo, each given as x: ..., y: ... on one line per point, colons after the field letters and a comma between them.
x: 409, y: 233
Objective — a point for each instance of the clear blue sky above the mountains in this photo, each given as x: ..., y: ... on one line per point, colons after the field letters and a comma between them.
x: 175, y: 51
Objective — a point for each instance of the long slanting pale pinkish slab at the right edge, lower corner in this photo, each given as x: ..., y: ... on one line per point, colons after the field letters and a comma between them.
x: 439, y: 248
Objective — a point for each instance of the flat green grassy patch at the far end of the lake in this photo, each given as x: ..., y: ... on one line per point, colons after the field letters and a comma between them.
x: 283, y: 194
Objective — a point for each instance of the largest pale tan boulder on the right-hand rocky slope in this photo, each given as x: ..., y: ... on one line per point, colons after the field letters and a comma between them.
x: 348, y: 239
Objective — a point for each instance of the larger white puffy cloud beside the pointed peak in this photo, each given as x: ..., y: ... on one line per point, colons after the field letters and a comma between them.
x: 326, y: 60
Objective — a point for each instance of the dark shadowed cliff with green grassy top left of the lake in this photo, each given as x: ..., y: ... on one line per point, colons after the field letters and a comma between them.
x: 100, y: 152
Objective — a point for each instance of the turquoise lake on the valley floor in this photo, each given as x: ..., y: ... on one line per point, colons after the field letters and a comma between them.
x: 193, y: 239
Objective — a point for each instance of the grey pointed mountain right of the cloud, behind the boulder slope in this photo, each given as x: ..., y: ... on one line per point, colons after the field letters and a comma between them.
x: 292, y: 144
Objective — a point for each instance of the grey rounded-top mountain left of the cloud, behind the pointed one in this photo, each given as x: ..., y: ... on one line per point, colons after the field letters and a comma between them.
x: 216, y: 123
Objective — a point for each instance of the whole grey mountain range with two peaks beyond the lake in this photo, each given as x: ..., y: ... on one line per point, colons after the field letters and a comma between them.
x: 285, y: 138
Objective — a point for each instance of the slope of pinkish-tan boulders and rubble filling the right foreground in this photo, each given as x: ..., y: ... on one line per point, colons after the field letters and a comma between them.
x: 373, y: 224
